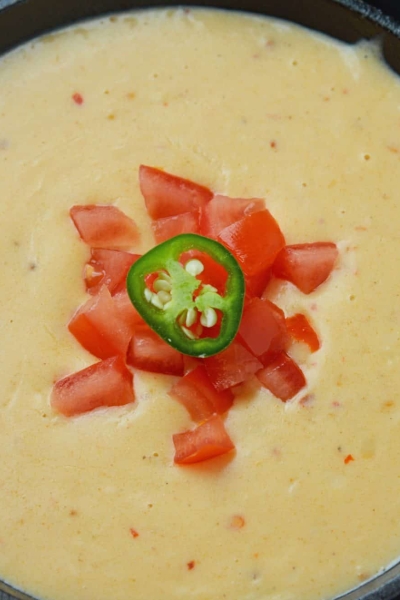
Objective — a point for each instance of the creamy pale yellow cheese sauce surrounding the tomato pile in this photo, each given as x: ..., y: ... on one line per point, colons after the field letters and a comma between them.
x: 249, y: 107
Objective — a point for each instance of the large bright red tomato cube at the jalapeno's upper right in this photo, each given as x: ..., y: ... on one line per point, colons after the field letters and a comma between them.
x: 255, y: 241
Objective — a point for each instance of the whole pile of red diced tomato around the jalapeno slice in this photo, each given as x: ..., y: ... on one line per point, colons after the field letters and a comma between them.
x: 108, y: 326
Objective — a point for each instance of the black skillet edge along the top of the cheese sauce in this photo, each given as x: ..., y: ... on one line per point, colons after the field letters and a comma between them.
x: 348, y: 20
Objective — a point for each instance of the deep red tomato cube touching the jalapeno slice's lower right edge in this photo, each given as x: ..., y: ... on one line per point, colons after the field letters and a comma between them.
x: 231, y: 366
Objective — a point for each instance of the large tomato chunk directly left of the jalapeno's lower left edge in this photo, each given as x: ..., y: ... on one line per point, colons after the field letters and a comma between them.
x: 99, y: 327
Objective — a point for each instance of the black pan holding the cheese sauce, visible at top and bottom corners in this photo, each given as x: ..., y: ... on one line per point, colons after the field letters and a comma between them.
x: 347, y: 20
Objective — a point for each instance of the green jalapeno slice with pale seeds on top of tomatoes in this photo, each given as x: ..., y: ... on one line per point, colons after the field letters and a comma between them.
x: 178, y: 303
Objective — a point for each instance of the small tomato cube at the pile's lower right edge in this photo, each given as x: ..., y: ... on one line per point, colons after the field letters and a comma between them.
x: 282, y: 377
